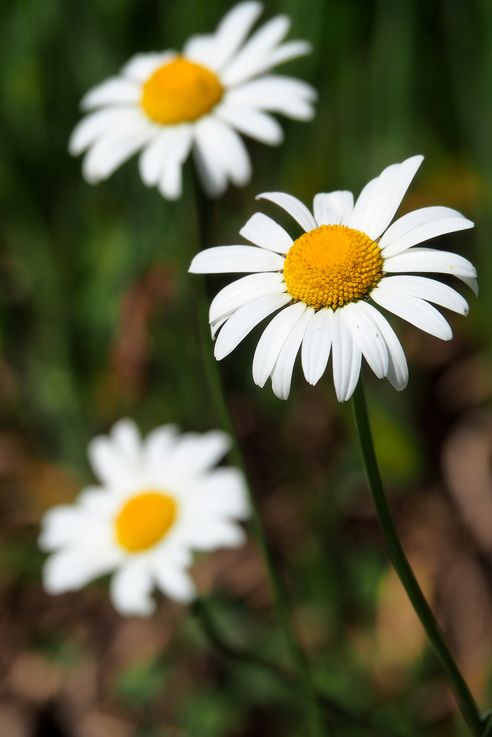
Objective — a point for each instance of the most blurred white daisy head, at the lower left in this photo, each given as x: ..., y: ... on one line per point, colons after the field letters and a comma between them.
x: 159, y: 498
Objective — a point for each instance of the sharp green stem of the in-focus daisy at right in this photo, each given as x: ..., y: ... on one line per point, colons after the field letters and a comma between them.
x: 466, y: 702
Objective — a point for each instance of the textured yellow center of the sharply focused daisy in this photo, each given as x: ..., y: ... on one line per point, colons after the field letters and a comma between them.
x: 332, y: 265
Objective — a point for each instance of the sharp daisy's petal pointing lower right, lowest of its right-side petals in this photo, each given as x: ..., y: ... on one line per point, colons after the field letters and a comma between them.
x: 416, y: 311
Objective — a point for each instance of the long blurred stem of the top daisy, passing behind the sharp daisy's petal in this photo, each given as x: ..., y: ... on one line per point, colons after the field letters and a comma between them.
x: 280, y: 598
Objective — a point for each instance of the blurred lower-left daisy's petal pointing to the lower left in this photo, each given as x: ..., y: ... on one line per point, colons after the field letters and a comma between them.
x: 71, y: 569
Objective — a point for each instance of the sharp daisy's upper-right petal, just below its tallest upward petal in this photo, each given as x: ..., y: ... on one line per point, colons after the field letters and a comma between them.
x: 421, y: 225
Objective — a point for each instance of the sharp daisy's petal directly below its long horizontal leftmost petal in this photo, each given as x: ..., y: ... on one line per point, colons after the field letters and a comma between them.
x: 244, y: 290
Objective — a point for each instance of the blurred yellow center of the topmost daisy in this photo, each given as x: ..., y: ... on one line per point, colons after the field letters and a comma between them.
x: 180, y: 91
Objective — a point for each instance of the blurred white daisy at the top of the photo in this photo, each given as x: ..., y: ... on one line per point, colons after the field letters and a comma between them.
x: 169, y: 104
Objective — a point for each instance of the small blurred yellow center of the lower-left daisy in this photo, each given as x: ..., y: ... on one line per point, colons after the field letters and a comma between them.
x: 144, y: 519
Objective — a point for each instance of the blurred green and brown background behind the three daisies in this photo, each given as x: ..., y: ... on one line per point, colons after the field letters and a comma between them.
x: 98, y: 321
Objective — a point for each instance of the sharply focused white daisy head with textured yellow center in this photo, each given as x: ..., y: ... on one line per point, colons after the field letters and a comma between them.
x: 332, y: 280
